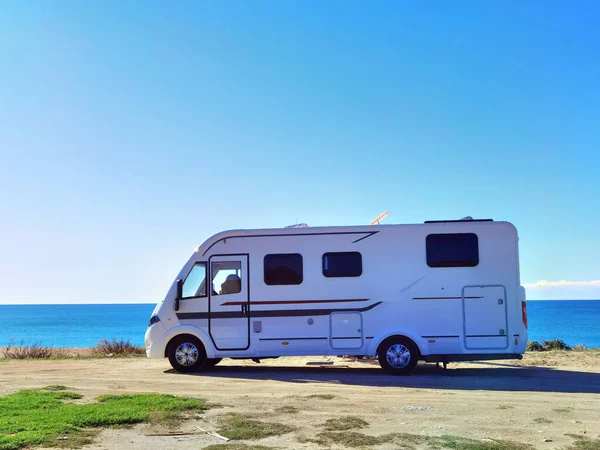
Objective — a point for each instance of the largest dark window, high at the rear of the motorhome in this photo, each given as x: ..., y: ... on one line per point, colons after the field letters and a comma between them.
x: 452, y: 250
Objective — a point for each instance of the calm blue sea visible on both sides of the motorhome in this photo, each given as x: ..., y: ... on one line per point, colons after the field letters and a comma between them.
x: 573, y: 321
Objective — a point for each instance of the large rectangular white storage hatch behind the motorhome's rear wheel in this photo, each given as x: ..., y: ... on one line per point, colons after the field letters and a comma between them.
x: 485, y: 317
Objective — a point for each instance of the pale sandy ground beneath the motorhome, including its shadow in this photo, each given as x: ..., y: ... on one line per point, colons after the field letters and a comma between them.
x: 486, y: 400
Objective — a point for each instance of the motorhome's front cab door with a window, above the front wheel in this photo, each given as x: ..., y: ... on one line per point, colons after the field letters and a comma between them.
x: 229, y: 315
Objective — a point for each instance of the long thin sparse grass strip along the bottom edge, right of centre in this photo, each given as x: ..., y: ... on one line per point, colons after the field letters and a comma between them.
x: 353, y: 439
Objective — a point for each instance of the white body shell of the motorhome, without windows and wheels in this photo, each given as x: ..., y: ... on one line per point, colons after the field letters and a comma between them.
x: 444, y: 310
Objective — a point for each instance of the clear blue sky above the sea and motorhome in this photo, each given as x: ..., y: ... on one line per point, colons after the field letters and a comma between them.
x: 129, y: 132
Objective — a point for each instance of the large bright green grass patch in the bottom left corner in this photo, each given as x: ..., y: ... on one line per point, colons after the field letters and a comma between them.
x: 39, y: 417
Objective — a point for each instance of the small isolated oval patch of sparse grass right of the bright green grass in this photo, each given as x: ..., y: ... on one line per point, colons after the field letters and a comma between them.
x: 240, y: 426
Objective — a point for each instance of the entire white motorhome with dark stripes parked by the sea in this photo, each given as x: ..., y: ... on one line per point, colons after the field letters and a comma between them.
x: 438, y: 291
